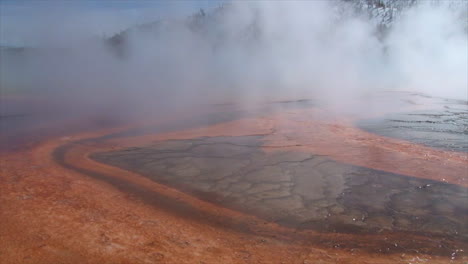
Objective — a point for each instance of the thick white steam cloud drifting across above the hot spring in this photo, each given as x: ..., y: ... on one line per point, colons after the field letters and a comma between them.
x: 244, y: 52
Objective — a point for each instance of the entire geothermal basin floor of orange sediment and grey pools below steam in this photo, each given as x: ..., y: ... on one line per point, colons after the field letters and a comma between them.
x: 289, y: 182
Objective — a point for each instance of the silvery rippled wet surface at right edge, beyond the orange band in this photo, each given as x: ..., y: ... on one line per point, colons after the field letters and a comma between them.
x: 444, y: 127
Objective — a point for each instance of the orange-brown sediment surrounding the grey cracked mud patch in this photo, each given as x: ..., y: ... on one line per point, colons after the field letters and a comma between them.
x: 58, y: 205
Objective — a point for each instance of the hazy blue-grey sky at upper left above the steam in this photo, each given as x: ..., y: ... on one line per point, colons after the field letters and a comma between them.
x: 26, y: 22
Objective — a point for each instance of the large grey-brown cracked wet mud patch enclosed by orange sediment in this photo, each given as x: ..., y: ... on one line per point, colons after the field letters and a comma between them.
x: 297, y: 189
